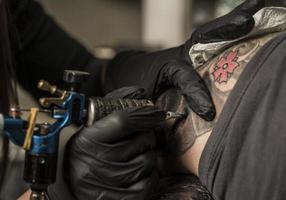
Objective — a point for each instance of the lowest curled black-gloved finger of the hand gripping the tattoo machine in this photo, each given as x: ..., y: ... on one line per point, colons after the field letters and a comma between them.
x: 116, y: 174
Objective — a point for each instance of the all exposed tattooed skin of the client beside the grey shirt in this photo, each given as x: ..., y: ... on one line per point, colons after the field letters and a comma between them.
x: 187, y: 138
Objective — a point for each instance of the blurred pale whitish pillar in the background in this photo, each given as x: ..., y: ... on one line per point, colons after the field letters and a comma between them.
x: 166, y: 23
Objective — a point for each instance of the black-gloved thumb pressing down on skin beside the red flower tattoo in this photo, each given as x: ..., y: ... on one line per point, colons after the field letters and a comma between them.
x: 189, y: 82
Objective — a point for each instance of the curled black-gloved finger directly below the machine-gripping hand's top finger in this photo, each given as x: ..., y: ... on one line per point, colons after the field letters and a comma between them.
x: 124, y: 150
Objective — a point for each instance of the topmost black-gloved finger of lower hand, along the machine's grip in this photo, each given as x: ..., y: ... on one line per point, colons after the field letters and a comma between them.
x: 122, y: 124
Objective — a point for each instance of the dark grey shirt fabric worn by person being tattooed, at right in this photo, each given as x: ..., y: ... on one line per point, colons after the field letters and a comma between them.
x: 245, y: 155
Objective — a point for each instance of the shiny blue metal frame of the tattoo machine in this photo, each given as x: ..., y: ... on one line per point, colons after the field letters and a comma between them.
x: 14, y: 128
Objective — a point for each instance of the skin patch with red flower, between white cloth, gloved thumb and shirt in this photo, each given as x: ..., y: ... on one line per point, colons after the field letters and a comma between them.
x: 222, y: 72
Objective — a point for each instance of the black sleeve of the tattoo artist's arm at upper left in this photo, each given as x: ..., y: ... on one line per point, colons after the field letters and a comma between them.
x: 44, y: 50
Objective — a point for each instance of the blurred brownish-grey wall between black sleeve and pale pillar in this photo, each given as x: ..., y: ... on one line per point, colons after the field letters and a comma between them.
x: 98, y: 22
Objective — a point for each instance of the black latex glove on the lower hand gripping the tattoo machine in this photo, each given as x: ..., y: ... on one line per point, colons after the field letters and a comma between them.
x: 114, y: 159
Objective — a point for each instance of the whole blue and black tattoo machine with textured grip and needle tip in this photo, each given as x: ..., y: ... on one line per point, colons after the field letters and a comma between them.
x: 41, y: 140
